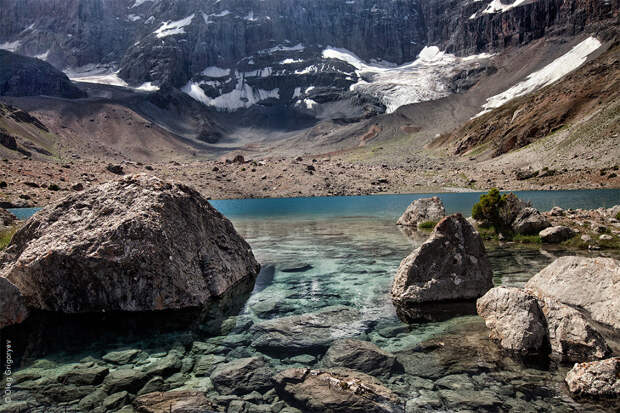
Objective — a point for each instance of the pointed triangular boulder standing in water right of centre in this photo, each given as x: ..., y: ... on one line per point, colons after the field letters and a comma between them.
x: 451, y: 265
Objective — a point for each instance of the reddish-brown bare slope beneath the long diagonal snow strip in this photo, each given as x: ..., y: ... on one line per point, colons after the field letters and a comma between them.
x: 576, y: 98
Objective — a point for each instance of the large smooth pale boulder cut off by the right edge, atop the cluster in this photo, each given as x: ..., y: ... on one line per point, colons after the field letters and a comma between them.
x: 589, y: 284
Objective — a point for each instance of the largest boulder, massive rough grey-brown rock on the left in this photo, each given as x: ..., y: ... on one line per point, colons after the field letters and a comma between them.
x: 136, y: 244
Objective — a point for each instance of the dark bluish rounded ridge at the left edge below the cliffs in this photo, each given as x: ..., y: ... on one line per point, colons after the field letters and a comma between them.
x: 26, y: 76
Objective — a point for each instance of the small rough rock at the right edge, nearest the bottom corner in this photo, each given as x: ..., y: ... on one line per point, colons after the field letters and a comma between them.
x: 595, y: 379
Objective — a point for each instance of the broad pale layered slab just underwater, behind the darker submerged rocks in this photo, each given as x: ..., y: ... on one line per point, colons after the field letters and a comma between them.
x: 307, y: 333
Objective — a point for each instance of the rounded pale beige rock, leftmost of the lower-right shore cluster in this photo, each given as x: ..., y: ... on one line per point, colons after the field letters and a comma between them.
x: 514, y: 318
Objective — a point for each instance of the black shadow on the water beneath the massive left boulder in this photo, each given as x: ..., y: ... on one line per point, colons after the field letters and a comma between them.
x: 48, y: 333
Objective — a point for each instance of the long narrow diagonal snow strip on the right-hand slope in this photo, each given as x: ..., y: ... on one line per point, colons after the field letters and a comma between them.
x: 547, y: 75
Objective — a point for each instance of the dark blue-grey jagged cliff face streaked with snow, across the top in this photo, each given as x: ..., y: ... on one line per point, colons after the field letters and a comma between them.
x: 321, y: 57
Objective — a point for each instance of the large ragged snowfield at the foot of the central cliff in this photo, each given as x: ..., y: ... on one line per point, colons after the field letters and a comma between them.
x: 424, y: 79
